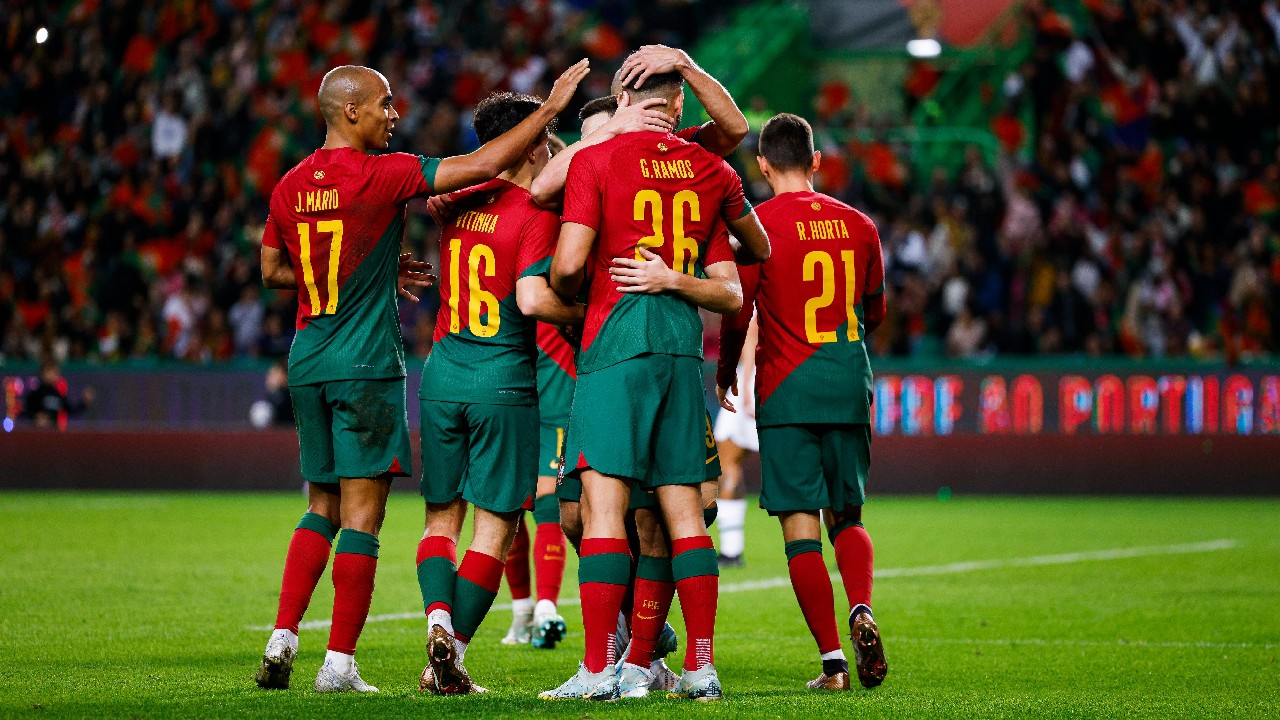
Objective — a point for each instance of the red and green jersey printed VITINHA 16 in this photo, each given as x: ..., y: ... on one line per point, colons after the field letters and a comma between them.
x: 484, y: 347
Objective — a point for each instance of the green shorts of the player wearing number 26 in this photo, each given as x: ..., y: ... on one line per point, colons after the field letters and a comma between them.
x: 643, y: 418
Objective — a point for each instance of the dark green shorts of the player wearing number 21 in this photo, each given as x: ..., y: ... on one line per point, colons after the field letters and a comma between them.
x: 815, y: 467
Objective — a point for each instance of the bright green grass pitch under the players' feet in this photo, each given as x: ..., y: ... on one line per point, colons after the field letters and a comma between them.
x: 154, y: 607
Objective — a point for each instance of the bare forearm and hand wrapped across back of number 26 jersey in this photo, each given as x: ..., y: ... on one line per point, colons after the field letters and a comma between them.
x: 721, y: 291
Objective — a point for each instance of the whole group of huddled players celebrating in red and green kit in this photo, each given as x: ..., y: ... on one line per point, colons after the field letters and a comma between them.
x: 566, y: 375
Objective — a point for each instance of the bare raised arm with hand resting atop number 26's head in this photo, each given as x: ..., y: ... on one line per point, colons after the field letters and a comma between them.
x: 728, y: 129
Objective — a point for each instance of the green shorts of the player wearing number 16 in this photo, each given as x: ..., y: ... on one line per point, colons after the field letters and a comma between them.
x: 486, y: 454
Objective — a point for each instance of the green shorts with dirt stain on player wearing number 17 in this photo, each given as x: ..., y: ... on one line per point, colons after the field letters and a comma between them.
x: 353, y: 430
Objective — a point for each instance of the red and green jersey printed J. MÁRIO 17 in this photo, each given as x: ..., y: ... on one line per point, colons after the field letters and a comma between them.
x: 340, y: 215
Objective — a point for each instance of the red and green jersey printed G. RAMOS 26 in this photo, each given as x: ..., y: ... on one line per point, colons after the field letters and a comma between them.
x: 656, y: 192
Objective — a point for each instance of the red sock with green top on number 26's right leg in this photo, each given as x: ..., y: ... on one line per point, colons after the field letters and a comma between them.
x: 698, y: 585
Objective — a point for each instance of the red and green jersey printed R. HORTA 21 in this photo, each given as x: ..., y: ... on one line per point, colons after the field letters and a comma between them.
x: 812, y: 364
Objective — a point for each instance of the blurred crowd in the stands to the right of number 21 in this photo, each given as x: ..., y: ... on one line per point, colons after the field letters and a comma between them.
x: 1142, y: 222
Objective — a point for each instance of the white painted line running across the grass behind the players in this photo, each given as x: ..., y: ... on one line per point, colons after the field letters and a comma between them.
x: 947, y: 569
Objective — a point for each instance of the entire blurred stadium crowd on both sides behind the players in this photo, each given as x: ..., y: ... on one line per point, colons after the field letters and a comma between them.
x: 140, y: 143
